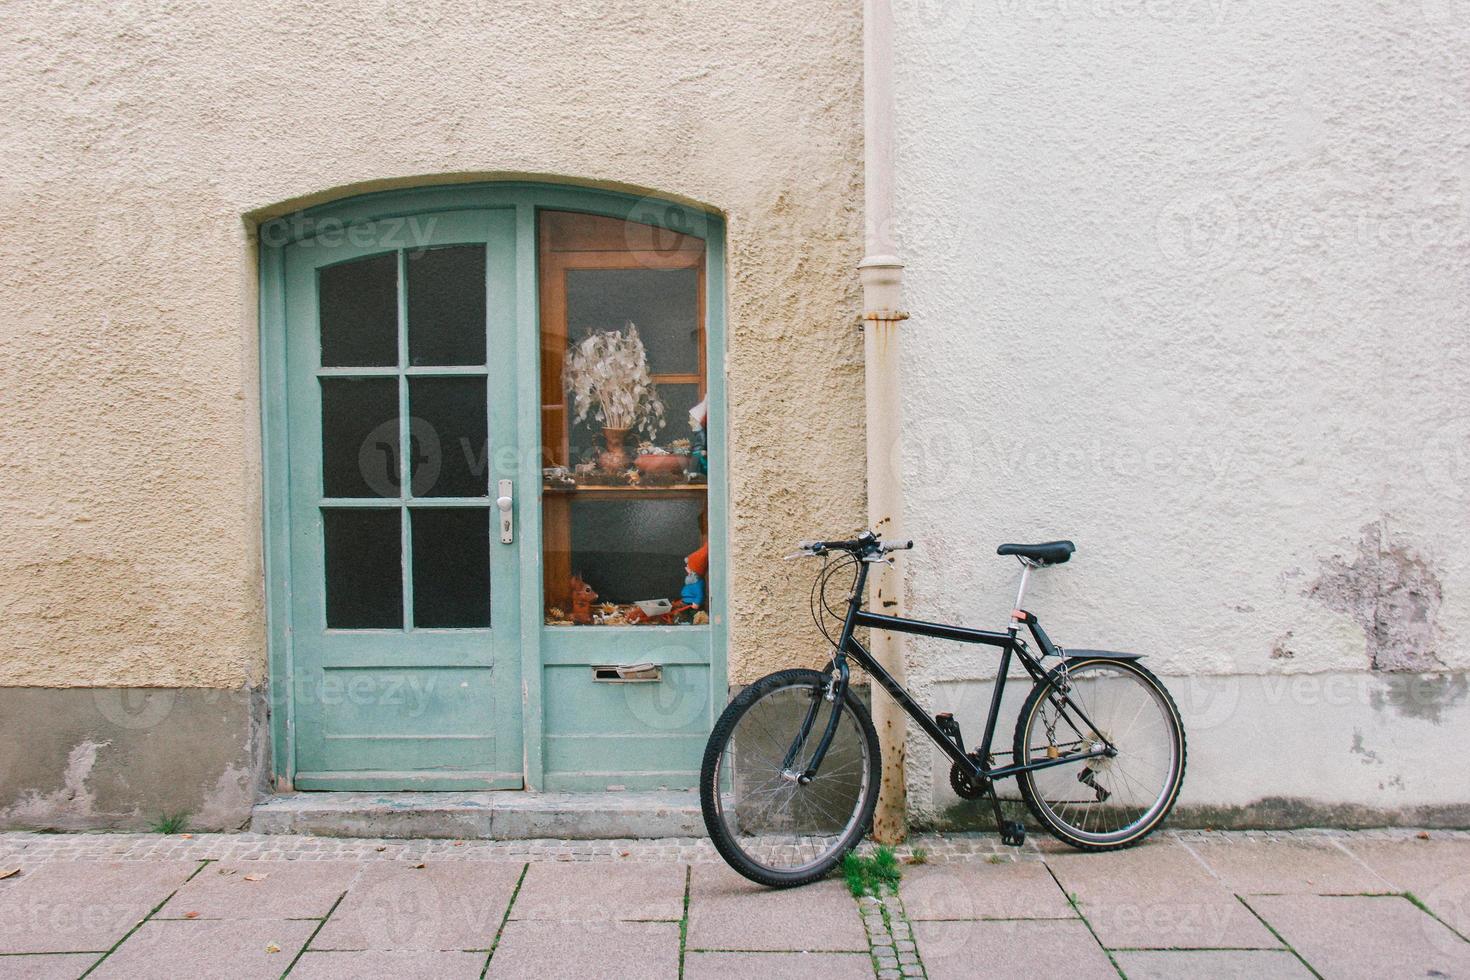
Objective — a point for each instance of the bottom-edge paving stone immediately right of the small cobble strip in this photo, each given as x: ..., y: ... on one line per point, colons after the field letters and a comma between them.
x: 1012, y: 948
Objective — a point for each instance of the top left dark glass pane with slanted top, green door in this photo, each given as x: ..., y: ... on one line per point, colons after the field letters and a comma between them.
x: 358, y: 306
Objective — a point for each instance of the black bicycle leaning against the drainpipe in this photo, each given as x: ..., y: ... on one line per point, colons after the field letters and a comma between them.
x: 789, y: 793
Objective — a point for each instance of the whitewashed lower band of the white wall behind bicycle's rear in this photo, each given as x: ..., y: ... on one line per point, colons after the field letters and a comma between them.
x: 1268, y: 752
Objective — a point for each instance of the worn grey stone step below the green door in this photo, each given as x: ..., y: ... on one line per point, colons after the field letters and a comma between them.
x: 493, y: 816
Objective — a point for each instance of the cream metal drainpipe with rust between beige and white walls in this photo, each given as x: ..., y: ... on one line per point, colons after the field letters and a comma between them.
x: 883, y: 286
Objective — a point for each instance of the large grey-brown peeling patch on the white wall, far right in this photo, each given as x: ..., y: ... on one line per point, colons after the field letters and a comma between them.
x: 1393, y: 594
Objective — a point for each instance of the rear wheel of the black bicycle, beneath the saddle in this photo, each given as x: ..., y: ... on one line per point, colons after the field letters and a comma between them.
x: 1105, y: 801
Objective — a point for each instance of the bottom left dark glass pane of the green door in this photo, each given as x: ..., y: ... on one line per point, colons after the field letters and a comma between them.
x: 364, y: 568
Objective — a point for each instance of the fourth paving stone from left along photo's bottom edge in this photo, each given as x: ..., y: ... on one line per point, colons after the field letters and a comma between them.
x: 577, y: 951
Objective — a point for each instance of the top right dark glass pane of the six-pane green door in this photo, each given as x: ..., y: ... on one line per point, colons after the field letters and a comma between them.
x: 448, y: 306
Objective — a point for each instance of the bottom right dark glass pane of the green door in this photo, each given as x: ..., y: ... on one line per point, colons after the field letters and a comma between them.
x: 451, y: 566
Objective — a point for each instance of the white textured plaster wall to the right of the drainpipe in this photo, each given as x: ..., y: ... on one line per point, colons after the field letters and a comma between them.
x: 1190, y: 284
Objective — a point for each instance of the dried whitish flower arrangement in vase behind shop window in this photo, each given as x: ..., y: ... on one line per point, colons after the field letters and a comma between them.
x: 608, y: 378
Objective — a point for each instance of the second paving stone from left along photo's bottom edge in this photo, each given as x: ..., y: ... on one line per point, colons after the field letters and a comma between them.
x: 221, y: 950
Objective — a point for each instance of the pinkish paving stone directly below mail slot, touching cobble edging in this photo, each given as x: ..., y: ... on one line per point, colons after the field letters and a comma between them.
x: 602, y: 891
